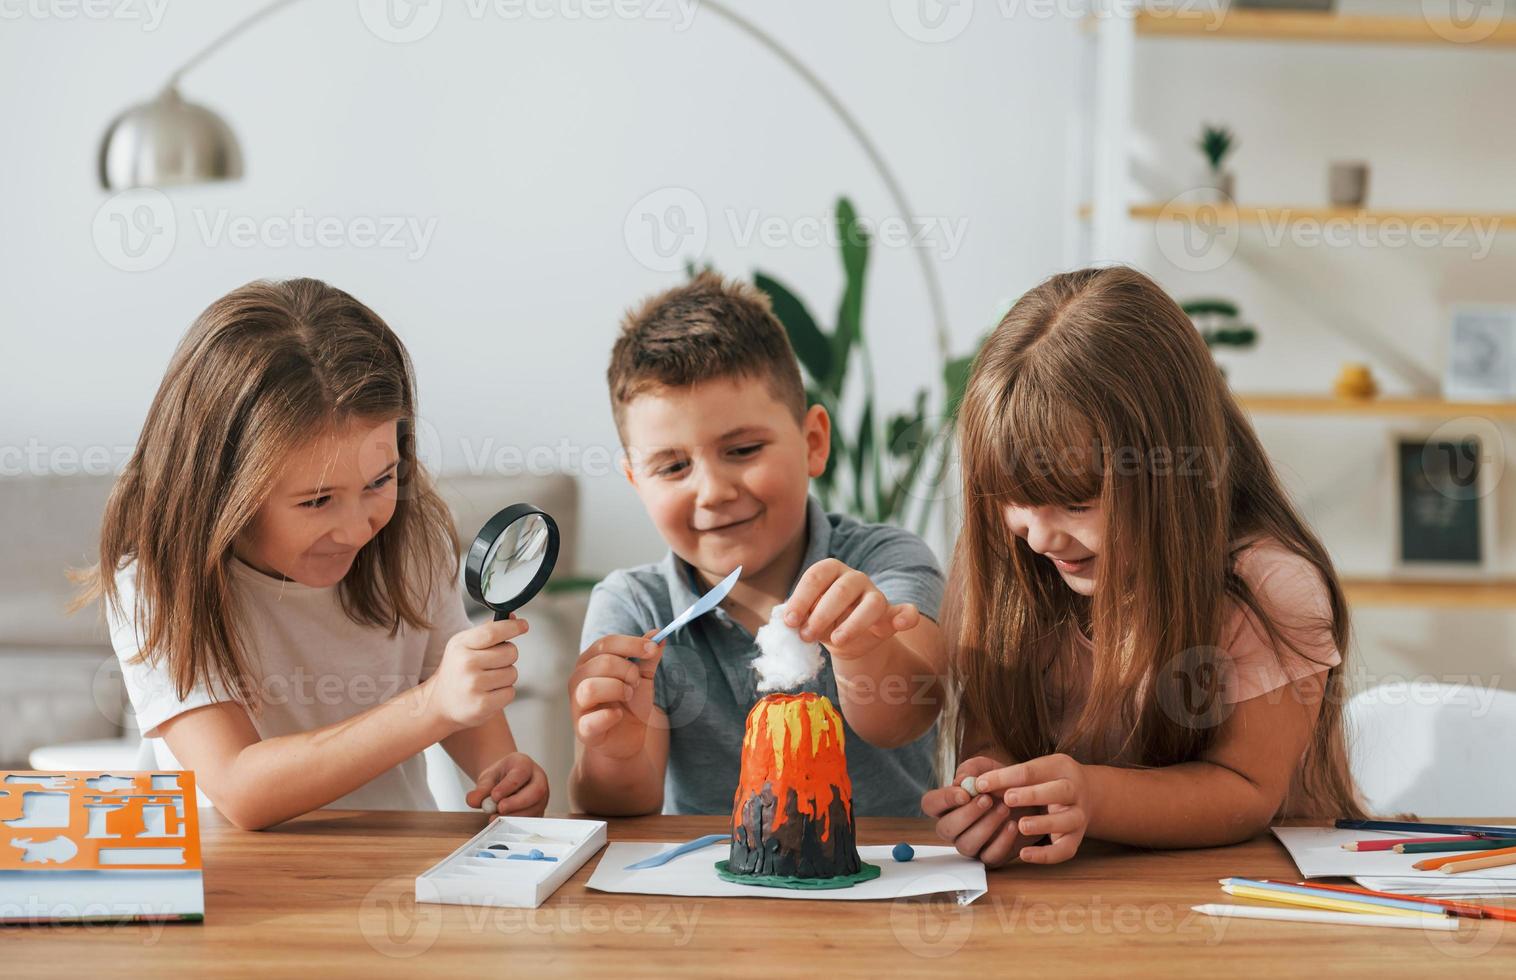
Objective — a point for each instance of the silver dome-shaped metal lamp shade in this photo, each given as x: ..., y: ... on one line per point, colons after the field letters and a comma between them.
x: 169, y: 142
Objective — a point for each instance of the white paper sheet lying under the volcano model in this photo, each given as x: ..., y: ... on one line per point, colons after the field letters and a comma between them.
x: 932, y: 872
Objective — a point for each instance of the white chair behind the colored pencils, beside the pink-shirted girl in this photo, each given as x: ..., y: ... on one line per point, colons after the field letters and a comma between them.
x: 1435, y: 750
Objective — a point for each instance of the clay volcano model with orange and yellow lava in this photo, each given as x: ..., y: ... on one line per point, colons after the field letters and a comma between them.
x: 792, y: 817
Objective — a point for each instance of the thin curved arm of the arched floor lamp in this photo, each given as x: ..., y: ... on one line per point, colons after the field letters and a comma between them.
x: 935, y: 295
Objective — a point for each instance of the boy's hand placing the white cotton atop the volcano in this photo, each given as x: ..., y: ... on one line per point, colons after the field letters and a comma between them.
x: 844, y: 611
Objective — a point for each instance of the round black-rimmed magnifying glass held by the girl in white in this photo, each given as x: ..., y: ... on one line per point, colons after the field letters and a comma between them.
x: 512, y: 559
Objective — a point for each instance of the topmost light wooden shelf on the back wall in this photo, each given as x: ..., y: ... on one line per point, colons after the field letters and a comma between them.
x: 1323, y: 28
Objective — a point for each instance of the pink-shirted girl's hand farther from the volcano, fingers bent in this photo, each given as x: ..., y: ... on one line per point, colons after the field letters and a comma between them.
x: 1057, y: 784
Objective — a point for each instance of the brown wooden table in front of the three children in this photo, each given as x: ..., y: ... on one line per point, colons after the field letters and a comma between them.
x: 331, y: 894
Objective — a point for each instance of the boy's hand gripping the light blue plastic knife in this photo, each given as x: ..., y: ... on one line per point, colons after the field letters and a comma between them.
x: 612, y: 694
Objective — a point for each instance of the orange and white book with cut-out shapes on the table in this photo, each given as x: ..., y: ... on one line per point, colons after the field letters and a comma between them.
x: 98, y: 847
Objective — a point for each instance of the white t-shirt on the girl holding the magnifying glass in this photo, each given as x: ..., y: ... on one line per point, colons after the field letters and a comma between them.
x: 312, y: 667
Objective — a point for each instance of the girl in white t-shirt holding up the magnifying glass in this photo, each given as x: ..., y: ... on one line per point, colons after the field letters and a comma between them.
x: 280, y: 574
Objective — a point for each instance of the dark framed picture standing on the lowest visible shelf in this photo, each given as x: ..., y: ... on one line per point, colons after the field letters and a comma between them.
x: 1444, y: 504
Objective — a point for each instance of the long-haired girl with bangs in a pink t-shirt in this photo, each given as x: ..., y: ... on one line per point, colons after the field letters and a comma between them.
x: 1145, y: 635
